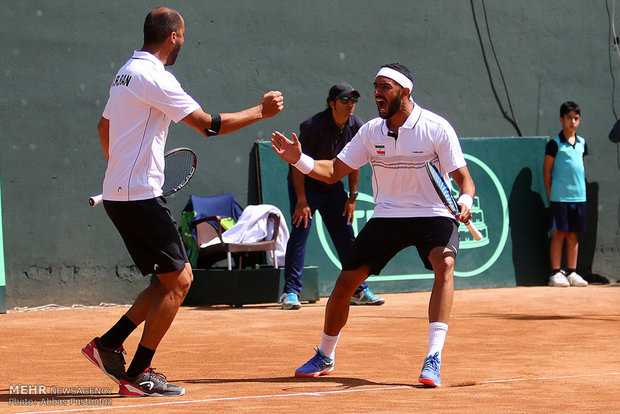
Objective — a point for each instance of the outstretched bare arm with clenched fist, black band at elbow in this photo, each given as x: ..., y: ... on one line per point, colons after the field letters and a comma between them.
x: 270, y: 105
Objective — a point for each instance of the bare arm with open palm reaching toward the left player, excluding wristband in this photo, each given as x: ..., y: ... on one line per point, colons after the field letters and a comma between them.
x: 329, y: 171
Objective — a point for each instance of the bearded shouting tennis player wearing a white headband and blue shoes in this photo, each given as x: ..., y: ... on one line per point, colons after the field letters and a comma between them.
x: 407, y: 212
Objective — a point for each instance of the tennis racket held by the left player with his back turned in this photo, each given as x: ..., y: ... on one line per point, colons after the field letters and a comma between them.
x: 179, y: 169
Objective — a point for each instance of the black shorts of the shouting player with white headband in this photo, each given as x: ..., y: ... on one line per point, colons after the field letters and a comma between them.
x: 382, y: 238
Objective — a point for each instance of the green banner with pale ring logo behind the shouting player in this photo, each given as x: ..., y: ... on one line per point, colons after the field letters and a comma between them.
x: 508, y: 209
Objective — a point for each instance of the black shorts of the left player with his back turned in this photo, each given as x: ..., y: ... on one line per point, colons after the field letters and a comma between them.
x: 150, y: 233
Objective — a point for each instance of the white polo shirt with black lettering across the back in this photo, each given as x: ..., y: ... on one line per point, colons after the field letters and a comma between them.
x: 144, y: 98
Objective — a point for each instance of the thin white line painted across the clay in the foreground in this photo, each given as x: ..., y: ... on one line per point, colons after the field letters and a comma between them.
x: 302, y: 394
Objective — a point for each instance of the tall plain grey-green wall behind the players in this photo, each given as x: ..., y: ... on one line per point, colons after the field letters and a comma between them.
x: 58, y: 59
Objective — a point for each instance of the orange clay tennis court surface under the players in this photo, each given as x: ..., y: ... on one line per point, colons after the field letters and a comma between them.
x: 534, y: 349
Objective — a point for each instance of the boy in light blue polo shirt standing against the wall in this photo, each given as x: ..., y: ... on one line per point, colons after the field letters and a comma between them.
x: 565, y: 181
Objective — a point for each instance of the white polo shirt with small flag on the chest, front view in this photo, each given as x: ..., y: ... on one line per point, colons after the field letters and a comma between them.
x: 400, y: 183
